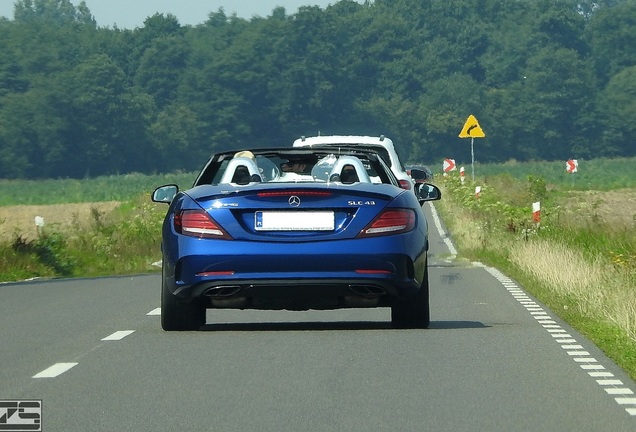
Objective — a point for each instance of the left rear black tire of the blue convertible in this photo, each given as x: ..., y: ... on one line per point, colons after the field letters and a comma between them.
x: 180, y: 316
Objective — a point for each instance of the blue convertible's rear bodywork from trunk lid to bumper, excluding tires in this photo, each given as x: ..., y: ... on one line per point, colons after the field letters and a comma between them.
x: 375, y: 244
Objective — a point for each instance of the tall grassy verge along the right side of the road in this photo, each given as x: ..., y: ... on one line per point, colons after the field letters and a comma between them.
x: 585, y: 276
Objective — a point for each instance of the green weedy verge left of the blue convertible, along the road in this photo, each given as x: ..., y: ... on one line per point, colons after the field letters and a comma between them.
x: 125, y: 242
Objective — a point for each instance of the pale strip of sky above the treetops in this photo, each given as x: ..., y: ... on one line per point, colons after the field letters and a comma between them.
x: 129, y: 14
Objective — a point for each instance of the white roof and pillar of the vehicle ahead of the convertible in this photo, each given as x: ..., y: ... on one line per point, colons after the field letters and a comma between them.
x: 381, y: 144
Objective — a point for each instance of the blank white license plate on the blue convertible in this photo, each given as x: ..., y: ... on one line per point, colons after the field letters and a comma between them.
x: 294, y: 221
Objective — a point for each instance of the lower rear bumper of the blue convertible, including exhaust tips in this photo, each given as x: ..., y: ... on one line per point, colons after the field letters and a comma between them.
x: 288, y: 277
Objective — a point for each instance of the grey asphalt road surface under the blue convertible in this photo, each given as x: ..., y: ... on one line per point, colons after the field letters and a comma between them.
x: 92, y: 351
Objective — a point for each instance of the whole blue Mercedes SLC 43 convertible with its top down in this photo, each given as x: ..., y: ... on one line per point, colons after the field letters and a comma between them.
x: 298, y: 229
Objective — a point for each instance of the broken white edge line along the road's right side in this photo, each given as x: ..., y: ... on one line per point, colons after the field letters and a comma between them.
x: 577, y: 353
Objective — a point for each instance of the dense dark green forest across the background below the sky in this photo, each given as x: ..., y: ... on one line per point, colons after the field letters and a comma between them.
x: 547, y: 80
